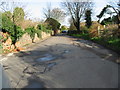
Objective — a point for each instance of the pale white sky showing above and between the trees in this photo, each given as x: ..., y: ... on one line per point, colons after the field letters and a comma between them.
x: 35, y: 7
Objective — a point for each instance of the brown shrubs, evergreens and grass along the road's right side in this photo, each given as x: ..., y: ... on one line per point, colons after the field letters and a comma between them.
x: 105, y: 32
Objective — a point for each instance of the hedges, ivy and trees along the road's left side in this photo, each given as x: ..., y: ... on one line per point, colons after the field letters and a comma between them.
x: 15, y: 25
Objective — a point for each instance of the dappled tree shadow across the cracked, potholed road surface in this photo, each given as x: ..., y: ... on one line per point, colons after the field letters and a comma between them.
x: 35, y: 68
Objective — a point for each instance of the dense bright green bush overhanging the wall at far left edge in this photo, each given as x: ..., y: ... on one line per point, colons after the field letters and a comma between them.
x: 8, y: 26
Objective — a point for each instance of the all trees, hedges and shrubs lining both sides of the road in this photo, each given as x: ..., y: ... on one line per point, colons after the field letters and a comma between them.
x: 105, y: 31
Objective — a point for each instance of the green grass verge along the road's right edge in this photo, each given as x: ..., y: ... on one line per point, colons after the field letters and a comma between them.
x: 112, y: 43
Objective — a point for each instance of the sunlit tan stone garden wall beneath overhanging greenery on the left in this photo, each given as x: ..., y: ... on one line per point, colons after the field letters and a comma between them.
x: 23, y: 41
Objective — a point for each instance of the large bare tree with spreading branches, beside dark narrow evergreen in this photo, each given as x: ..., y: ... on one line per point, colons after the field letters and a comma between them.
x: 77, y: 10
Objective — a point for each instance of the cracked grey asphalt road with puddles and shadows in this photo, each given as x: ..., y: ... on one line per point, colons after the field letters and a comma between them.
x: 63, y: 62
